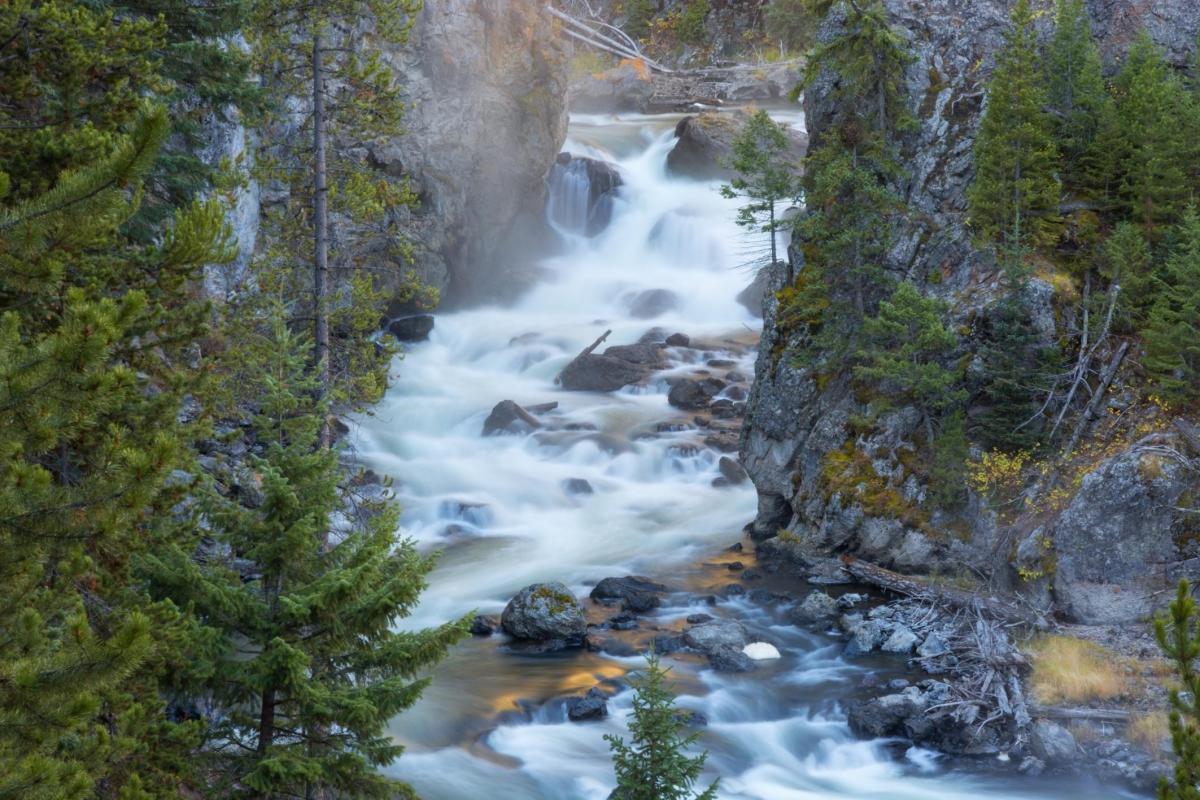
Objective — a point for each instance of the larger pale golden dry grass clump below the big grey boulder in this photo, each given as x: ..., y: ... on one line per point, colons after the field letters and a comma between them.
x: 1067, y: 670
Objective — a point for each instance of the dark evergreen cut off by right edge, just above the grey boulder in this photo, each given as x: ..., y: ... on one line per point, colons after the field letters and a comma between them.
x: 1173, y: 329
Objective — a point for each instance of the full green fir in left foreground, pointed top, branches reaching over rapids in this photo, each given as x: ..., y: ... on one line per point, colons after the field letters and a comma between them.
x: 304, y: 654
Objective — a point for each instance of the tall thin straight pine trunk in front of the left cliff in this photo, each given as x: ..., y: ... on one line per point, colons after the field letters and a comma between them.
x: 321, y: 234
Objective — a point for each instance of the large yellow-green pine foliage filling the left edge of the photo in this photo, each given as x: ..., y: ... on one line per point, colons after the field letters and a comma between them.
x: 92, y: 344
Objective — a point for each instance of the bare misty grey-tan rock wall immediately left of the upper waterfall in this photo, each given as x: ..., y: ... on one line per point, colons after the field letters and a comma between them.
x: 488, y: 86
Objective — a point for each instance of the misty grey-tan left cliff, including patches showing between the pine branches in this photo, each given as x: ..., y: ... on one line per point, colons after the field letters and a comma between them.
x: 485, y: 82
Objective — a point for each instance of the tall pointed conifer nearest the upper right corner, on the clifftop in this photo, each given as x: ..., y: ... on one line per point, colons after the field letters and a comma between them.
x: 1157, y: 139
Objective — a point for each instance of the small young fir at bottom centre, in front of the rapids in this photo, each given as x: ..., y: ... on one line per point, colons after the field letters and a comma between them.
x: 655, y: 766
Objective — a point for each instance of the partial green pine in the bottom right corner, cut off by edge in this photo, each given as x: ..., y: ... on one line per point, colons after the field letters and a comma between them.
x: 1179, y: 636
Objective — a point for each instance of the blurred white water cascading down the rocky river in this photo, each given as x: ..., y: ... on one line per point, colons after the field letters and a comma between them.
x: 499, y: 509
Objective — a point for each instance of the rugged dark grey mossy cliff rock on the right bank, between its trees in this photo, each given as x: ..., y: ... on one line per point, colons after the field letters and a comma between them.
x: 793, y: 425
